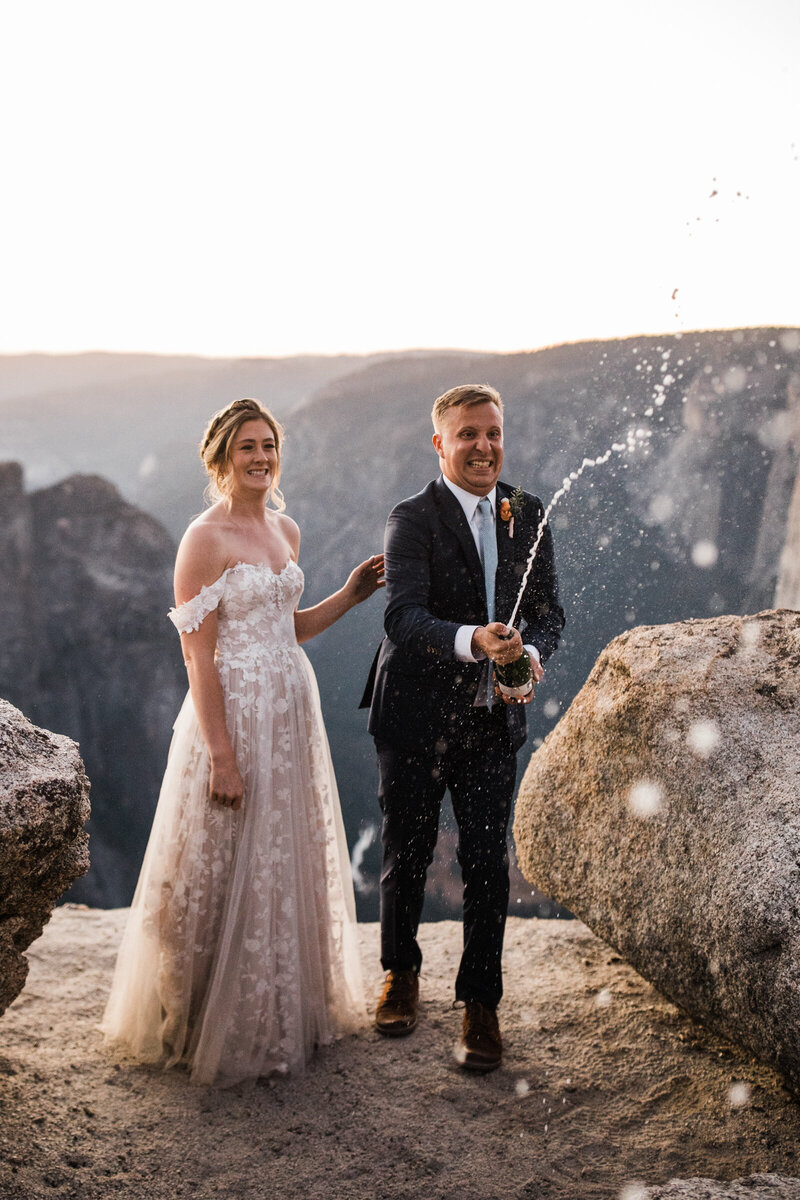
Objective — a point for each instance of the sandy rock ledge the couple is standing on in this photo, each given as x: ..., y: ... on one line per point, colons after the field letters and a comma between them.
x: 604, y: 1084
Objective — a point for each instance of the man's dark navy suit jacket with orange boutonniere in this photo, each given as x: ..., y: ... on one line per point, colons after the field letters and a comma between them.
x: 419, y: 694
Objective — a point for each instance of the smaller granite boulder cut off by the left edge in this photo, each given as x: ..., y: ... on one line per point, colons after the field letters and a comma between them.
x: 44, y: 847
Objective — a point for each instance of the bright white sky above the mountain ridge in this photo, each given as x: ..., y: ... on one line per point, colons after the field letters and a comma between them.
x: 261, y: 178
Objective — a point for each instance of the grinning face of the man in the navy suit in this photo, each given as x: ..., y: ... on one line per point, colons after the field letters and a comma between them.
x: 470, y: 443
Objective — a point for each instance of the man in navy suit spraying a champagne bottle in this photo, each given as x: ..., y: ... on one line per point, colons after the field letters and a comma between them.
x: 455, y: 557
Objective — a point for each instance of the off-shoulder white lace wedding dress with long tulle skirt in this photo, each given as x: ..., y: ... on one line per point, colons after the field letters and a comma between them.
x: 240, y: 953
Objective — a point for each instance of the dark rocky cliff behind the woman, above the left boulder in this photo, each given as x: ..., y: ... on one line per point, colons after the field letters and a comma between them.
x: 86, y: 650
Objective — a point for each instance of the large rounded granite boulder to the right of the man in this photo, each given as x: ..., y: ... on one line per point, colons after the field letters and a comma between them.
x: 664, y: 811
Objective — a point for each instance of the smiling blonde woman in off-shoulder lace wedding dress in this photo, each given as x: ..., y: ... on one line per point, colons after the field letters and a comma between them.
x: 240, y: 953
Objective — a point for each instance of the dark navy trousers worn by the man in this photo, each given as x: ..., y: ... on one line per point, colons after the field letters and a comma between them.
x: 412, y: 784
